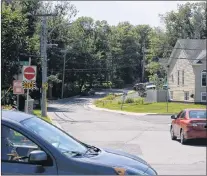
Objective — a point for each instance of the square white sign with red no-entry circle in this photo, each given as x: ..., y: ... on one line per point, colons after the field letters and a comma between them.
x: 29, y: 73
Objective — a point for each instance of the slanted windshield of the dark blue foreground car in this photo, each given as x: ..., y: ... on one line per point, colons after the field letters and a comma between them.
x: 54, y: 136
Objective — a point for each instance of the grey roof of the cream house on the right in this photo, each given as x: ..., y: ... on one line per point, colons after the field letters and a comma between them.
x: 189, y: 48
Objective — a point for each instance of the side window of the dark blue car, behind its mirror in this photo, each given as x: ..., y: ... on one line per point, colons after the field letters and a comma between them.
x: 16, y: 147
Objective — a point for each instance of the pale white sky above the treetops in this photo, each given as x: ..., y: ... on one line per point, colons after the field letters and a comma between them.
x: 136, y: 12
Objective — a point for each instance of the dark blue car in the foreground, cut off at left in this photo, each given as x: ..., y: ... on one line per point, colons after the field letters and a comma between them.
x: 33, y: 146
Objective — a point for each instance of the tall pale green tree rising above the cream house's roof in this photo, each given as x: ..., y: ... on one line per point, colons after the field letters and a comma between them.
x: 189, y: 21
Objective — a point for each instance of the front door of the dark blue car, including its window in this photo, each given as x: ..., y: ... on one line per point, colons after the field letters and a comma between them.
x: 11, y: 144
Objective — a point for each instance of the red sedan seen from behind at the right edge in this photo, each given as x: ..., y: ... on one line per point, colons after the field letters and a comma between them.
x: 189, y: 124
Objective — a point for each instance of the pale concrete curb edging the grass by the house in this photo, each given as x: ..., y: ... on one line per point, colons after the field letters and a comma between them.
x: 92, y: 106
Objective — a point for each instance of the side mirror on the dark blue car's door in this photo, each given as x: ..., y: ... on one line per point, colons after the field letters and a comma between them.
x: 37, y: 156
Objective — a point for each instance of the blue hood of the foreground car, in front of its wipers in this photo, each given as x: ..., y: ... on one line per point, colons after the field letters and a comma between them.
x: 115, y: 158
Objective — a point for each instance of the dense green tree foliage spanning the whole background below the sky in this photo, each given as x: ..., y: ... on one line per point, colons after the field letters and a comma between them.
x: 97, y: 54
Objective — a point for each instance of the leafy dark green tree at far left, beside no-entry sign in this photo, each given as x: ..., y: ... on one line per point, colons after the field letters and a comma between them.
x: 13, y: 41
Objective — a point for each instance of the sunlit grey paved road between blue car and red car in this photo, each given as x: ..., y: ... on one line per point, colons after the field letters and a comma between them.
x: 144, y: 135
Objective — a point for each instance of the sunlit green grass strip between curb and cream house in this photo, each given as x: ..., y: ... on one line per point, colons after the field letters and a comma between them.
x: 160, y: 108
